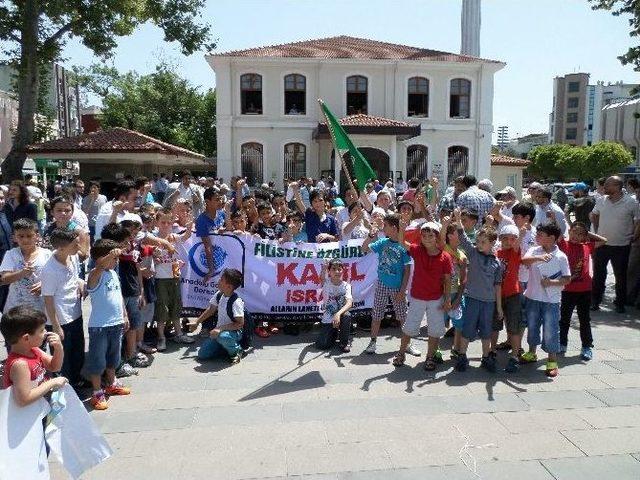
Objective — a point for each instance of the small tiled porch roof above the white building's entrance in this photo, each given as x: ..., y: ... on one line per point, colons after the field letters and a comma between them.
x: 371, y: 125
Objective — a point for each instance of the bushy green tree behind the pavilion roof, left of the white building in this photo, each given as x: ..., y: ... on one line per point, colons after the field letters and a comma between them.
x: 161, y: 104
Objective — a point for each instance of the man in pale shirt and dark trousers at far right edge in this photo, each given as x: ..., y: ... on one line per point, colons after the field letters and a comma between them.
x: 616, y: 217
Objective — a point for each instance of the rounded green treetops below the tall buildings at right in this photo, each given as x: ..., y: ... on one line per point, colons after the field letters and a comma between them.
x: 559, y: 162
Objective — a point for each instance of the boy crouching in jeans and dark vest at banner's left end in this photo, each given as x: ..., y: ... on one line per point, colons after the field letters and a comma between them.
x: 226, y: 336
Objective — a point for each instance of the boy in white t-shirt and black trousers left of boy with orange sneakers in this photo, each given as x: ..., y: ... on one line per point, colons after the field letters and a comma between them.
x: 62, y: 290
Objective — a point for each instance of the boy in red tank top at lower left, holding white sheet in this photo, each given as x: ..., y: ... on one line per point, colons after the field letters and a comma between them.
x: 26, y: 366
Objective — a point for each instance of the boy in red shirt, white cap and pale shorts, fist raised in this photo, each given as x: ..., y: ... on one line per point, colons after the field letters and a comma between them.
x: 430, y: 291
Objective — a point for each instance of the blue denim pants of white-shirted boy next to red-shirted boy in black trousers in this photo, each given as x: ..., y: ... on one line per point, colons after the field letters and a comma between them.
x: 546, y: 316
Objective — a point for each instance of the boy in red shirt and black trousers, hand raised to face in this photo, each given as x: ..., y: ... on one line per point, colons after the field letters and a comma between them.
x: 577, y: 293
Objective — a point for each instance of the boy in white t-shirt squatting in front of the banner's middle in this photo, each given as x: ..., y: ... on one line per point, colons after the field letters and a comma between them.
x: 336, y: 320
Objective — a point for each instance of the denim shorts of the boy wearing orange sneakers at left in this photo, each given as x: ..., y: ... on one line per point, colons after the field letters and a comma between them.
x: 104, y: 349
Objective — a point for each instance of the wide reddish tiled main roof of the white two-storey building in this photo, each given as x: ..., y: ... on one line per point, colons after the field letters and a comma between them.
x: 344, y: 46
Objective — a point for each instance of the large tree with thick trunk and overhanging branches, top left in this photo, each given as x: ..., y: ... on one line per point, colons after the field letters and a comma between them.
x: 35, y: 32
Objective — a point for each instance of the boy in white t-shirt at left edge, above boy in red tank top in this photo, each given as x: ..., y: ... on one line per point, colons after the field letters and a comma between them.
x: 21, y: 266
